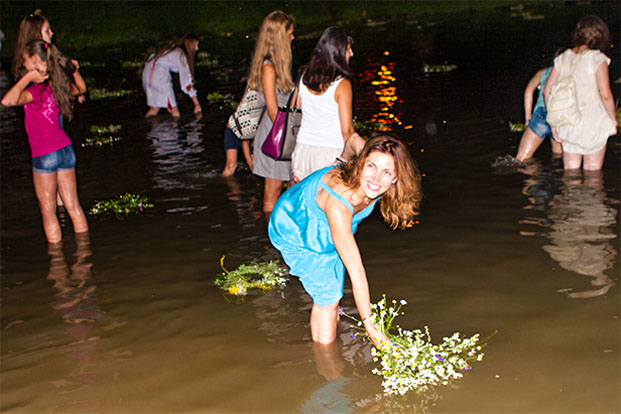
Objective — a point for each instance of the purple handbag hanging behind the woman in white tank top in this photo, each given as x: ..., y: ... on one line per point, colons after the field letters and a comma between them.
x: 280, y: 141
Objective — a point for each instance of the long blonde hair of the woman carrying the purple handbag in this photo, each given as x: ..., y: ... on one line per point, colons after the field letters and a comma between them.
x: 273, y: 44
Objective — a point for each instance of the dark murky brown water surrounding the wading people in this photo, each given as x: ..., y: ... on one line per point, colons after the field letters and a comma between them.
x: 130, y: 321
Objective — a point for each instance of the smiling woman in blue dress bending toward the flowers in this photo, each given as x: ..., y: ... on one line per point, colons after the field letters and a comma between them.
x: 313, y: 225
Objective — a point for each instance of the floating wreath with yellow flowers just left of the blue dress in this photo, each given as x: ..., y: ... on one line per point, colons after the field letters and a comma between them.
x: 263, y: 276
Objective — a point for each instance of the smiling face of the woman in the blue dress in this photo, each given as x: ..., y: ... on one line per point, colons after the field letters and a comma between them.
x: 378, y: 174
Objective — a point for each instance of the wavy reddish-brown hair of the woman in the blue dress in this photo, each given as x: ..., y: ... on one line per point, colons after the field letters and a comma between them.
x: 401, y: 203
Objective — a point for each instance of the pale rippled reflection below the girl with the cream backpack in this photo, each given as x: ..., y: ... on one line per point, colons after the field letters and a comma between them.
x: 581, y: 224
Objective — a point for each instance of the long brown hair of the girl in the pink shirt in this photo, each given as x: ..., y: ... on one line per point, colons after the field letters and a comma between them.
x: 60, y: 70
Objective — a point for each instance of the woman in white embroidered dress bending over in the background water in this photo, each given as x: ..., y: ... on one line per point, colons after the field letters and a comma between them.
x: 156, y: 79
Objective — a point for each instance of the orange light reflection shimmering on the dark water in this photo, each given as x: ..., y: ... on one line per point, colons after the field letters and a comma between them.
x: 380, y: 81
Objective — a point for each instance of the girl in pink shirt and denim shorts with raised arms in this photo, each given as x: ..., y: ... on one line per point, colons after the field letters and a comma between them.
x: 45, y: 90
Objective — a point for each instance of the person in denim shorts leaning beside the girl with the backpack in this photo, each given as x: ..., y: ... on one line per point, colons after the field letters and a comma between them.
x: 537, y: 129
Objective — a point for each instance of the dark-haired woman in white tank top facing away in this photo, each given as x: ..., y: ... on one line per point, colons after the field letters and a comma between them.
x: 325, y: 95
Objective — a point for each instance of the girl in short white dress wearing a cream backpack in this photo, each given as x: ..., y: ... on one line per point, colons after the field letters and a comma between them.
x: 585, y: 142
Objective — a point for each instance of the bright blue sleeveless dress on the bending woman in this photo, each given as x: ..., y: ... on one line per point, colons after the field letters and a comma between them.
x: 299, y: 229
